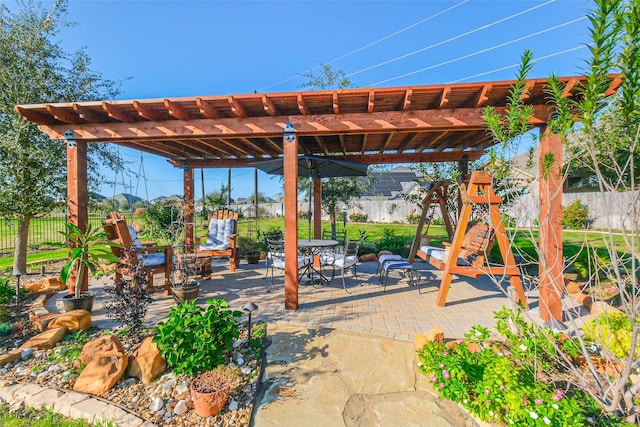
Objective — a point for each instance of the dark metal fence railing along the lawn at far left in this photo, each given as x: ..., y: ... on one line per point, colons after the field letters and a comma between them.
x: 42, y: 229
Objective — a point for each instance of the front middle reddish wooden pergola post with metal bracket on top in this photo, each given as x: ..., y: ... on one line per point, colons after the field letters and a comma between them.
x: 290, y: 151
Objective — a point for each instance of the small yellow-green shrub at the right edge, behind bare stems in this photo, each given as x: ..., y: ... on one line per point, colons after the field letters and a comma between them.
x: 613, y: 332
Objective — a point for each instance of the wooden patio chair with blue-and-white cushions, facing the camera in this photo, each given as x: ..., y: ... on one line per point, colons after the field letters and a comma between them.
x: 221, y: 237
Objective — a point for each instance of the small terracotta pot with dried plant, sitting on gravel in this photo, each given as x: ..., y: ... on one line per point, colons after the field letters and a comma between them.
x: 210, y: 390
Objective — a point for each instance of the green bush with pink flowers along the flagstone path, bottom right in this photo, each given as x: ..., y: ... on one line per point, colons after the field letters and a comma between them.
x: 498, y: 383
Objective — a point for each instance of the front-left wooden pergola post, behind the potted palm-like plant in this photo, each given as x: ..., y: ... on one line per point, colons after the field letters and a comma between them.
x: 77, y: 198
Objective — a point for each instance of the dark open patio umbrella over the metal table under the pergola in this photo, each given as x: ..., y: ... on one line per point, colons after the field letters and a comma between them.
x: 314, y: 167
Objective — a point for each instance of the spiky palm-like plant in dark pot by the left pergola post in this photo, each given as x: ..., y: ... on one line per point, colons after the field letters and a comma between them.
x: 88, y: 249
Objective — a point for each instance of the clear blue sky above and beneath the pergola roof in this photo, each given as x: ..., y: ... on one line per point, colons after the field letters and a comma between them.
x: 189, y: 48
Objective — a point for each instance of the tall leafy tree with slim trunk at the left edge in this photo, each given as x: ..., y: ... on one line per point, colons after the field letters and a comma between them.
x: 35, y: 69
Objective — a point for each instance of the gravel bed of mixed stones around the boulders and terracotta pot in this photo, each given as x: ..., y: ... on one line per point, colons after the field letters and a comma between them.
x: 166, y: 401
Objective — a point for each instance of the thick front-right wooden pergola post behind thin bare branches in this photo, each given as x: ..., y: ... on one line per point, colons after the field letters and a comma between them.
x: 550, y: 259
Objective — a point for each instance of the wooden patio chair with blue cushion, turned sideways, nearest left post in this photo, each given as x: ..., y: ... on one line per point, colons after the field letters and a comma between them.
x: 154, y: 259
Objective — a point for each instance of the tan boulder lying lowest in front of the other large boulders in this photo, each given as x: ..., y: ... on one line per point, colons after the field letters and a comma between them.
x: 101, y: 374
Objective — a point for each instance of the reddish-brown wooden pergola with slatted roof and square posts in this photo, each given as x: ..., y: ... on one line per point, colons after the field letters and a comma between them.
x: 437, y: 123
